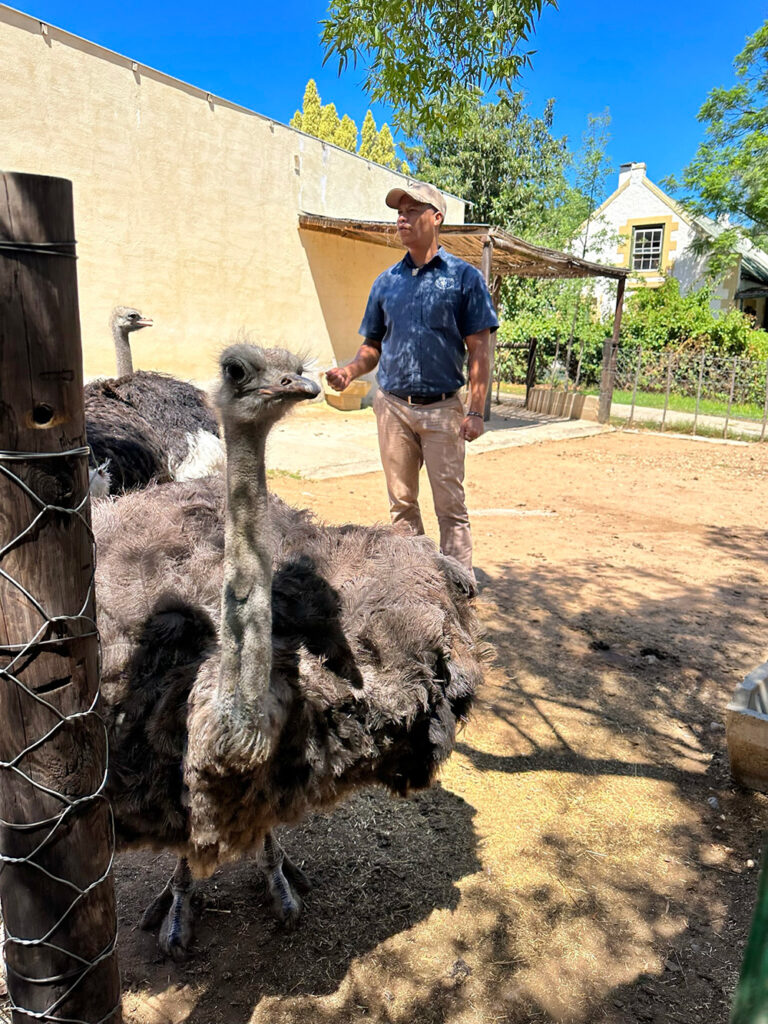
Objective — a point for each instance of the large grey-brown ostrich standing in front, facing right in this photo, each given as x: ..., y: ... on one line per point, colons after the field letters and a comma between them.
x: 241, y: 698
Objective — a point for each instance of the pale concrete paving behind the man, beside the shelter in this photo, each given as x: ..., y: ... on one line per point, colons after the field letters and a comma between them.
x: 318, y: 442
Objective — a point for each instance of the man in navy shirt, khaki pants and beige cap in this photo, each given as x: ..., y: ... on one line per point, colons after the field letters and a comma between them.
x: 423, y: 316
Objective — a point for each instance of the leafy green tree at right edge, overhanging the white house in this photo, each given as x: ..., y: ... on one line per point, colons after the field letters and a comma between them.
x: 728, y: 181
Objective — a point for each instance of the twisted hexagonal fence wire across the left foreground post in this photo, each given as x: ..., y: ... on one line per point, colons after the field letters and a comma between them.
x: 77, y: 626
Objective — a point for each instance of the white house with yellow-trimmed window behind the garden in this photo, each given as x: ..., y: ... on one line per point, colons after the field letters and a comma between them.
x: 642, y: 228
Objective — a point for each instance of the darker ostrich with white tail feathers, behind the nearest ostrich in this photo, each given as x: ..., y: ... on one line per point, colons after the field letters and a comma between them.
x: 148, y: 426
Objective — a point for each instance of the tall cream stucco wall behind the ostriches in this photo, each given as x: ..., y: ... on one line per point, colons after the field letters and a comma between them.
x: 187, y: 206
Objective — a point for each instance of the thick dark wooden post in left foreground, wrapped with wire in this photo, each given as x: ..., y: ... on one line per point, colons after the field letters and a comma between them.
x: 61, y: 890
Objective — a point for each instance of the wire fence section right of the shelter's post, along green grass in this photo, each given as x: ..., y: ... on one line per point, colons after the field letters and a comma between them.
x: 697, y: 393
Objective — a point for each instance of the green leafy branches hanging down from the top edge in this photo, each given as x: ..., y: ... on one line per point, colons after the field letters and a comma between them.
x: 435, y: 54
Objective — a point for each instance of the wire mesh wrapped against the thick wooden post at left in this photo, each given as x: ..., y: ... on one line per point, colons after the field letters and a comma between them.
x: 72, y: 810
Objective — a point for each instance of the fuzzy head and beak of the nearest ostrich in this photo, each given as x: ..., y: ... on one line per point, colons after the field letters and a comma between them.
x: 260, y: 386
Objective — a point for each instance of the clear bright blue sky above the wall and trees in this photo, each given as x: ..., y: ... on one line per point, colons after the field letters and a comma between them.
x: 652, y: 65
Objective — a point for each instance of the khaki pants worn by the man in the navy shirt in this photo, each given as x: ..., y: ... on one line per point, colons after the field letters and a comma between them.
x: 412, y: 437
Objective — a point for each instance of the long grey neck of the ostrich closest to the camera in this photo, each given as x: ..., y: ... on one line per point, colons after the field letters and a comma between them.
x: 246, y: 611
